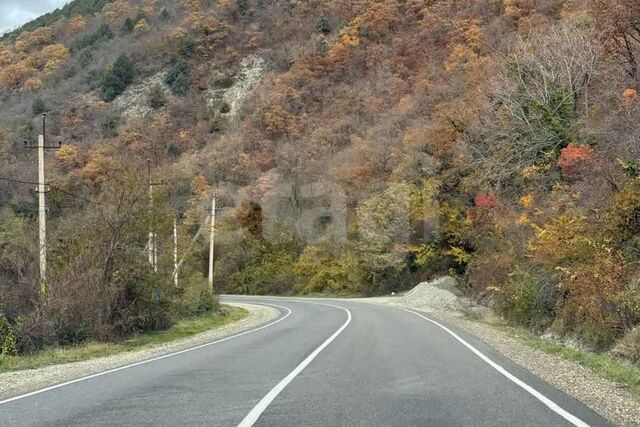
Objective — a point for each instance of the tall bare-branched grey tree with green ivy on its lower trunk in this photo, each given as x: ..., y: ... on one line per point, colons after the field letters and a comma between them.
x: 540, y: 92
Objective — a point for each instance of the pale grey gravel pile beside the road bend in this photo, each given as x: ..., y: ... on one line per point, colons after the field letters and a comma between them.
x: 434, y: 296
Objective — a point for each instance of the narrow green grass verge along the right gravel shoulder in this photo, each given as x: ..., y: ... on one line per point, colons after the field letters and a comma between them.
x: 602, y: 364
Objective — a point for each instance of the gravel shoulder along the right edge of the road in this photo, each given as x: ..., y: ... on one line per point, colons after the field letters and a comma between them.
x: 605, y: 397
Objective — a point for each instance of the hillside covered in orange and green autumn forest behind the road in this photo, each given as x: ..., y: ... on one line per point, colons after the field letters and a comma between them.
x: 354, y: 147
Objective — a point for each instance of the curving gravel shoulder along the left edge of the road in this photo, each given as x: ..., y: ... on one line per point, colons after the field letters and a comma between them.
x: 20, y: 382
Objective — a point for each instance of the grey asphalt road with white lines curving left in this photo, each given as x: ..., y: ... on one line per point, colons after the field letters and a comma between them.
x: 343, y: 364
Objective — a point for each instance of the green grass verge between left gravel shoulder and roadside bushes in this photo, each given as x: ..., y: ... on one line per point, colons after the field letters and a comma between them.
x: 182, y: 329
